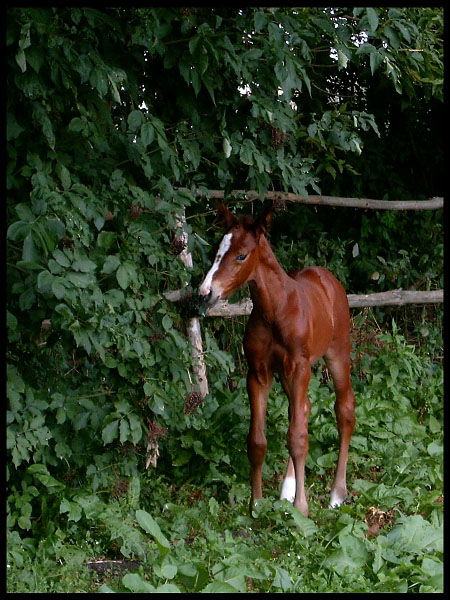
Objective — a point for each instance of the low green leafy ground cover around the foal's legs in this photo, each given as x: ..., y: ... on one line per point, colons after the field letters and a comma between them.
x: 192, y: 537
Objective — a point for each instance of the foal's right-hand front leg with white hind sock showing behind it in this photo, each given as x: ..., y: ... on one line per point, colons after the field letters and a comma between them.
x: 296, y: 387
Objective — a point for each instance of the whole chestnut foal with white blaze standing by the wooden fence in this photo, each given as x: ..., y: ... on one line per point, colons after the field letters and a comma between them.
x: 297, y: 318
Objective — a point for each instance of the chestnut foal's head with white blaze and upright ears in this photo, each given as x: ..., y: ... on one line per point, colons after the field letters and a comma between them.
x: 237, y: 256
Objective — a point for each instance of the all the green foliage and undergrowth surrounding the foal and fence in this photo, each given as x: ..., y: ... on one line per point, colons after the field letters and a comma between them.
x: 115, y: 117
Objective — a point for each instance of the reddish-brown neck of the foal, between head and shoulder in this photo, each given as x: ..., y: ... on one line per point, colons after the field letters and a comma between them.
x: 270, y: 285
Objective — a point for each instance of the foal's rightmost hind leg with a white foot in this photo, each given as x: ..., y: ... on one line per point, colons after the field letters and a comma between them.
x: 339, y: 366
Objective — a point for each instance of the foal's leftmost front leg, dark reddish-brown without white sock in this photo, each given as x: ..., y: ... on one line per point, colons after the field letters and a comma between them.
x: 258, y: 388
